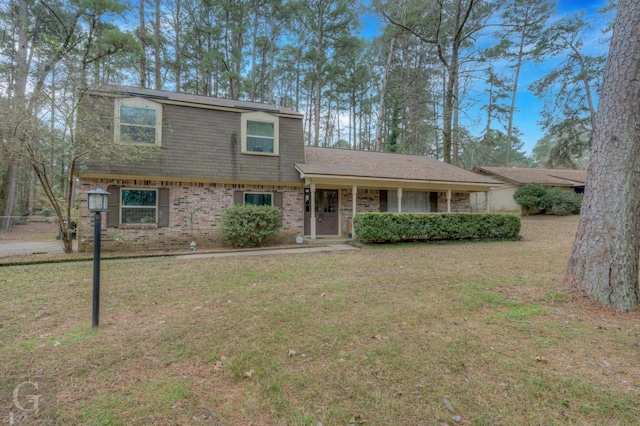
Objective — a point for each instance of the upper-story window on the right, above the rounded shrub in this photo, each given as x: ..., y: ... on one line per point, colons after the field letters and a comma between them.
x: 259, y: 134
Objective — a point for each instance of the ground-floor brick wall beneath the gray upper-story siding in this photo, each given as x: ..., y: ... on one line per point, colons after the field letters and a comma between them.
x: 195, y: 214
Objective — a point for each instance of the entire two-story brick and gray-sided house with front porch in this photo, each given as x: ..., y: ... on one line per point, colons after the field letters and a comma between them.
x: 192, y: 156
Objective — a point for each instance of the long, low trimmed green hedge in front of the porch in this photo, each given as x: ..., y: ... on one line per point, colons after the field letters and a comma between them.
x: 395, y: 227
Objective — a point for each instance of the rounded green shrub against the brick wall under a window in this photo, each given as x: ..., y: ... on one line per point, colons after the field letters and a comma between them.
x: 249, y: 225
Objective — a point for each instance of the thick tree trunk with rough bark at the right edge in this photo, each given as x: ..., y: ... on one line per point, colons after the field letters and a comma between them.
x: 605, y: 253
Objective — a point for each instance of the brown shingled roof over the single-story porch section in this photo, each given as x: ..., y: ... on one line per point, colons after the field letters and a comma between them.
x: 328, y: 162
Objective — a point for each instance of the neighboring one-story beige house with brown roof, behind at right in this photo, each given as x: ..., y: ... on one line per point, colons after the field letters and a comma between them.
x: 513, y: 178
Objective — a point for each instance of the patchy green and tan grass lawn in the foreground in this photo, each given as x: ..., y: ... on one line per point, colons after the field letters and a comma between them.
x: 409, y: 335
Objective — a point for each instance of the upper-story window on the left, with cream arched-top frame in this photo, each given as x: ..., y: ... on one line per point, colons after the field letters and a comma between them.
x: 138, y: 121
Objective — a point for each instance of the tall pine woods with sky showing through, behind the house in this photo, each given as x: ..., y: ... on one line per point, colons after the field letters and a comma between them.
x: 437, y: 78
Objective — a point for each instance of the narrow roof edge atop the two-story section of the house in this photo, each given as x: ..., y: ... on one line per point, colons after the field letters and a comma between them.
x: 164, y: 96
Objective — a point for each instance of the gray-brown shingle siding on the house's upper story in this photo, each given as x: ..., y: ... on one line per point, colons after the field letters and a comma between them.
x: 200, y: 143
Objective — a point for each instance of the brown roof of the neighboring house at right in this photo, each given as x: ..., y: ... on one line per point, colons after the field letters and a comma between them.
x: 547, y: 177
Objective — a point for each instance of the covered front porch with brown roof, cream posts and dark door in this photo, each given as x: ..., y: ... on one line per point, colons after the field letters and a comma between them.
x: 340, y: 183
